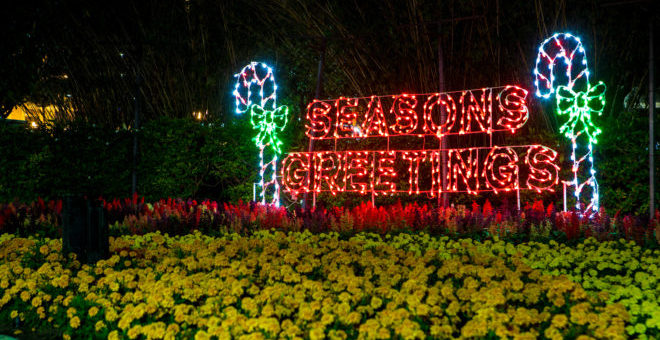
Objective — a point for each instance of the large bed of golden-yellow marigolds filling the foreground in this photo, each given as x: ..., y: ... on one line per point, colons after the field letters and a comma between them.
x: 299, y: 285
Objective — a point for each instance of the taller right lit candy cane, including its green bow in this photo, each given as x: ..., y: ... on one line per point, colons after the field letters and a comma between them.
x: 576, y: 99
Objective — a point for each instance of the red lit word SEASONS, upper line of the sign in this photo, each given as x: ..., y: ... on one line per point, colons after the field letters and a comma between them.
x: 486, y: 110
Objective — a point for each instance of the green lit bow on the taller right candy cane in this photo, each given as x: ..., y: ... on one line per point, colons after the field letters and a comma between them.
x: 579, y: 106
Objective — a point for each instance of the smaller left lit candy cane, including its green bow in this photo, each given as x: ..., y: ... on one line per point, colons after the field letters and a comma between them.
x: 255, y: 92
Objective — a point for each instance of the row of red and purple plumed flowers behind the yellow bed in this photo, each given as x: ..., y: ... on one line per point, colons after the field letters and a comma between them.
x: 177, y: 217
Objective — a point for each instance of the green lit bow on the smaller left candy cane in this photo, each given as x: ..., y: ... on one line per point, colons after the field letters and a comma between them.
x: 268, y: 122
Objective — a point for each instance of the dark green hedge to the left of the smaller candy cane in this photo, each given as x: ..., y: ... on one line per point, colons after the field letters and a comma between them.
x: 177, y: 157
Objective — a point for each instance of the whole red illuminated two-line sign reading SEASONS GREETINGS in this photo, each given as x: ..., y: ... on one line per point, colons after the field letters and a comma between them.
x: 351, y: 126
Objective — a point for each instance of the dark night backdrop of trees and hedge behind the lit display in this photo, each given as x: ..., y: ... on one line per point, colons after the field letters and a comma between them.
x: 92, y: 58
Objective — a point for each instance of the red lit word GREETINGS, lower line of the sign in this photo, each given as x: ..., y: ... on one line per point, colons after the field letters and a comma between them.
x: 374, y: 171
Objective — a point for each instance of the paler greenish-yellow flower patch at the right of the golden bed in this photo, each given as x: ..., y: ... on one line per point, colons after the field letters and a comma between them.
x: 621, y: 270
